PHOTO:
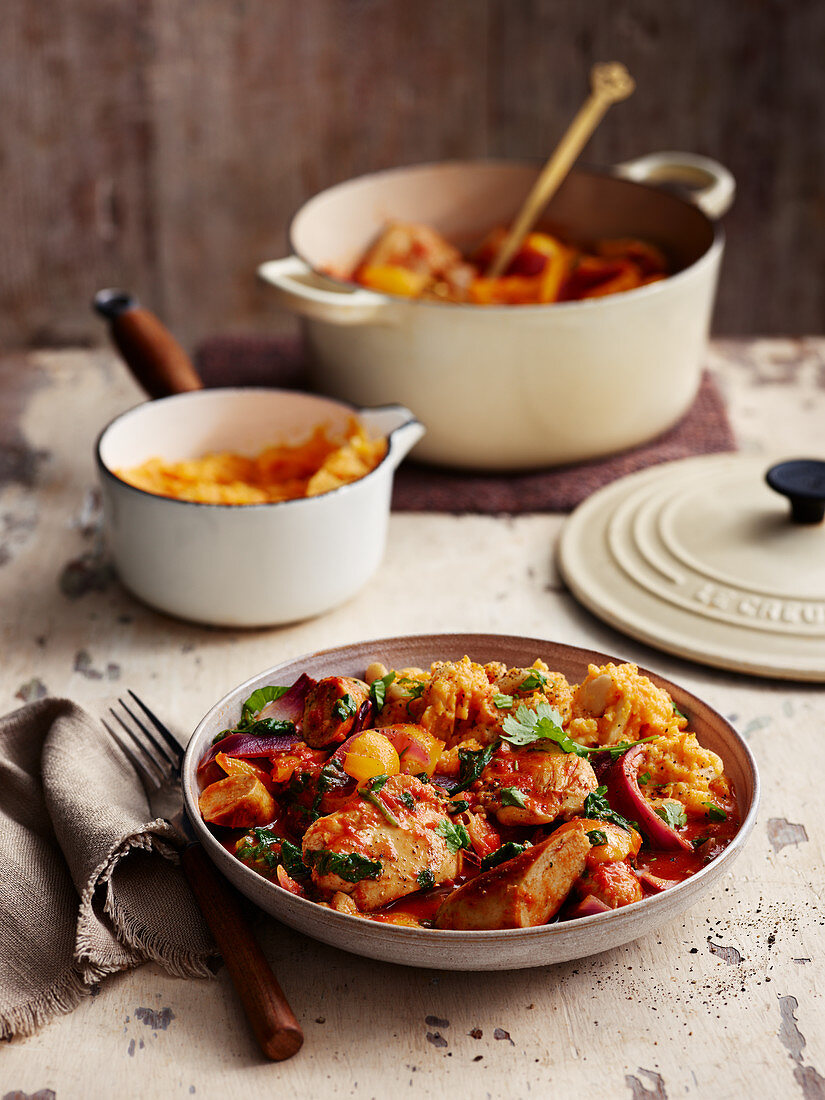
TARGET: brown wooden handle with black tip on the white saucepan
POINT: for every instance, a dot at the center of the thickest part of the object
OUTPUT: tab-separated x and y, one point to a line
151	353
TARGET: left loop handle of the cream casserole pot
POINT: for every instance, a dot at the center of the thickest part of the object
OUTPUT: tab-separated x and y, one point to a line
294	290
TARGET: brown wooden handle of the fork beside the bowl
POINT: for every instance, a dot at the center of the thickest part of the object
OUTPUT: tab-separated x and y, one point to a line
268	1011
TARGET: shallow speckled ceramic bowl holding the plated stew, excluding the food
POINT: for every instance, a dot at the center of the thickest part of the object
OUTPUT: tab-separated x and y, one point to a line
470	951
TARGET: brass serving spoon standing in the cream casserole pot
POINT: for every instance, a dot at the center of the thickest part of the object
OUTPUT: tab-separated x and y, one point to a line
610	84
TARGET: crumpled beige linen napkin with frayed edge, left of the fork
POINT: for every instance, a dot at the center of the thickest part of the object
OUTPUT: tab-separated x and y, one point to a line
89	883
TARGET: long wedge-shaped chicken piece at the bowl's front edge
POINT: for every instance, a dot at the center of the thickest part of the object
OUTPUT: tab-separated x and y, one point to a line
521	894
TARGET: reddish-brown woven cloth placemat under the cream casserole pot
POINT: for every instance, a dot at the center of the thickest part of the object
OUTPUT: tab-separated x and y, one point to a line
278	361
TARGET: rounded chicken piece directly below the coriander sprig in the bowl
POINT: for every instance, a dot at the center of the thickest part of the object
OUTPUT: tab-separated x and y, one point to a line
534	787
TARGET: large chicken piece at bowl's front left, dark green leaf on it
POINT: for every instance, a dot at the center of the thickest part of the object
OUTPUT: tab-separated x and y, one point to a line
384	844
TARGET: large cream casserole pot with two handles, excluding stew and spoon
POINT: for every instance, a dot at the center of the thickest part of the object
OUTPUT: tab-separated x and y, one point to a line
509	388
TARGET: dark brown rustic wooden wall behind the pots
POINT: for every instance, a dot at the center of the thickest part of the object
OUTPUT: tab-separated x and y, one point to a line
164	145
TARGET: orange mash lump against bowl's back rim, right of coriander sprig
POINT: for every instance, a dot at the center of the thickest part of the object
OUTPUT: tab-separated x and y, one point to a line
617	703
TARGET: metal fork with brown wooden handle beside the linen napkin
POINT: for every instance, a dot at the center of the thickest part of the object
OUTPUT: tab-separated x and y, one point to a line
158	761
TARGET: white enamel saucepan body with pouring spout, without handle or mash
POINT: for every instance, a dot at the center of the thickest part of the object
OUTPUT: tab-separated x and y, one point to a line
244	566
